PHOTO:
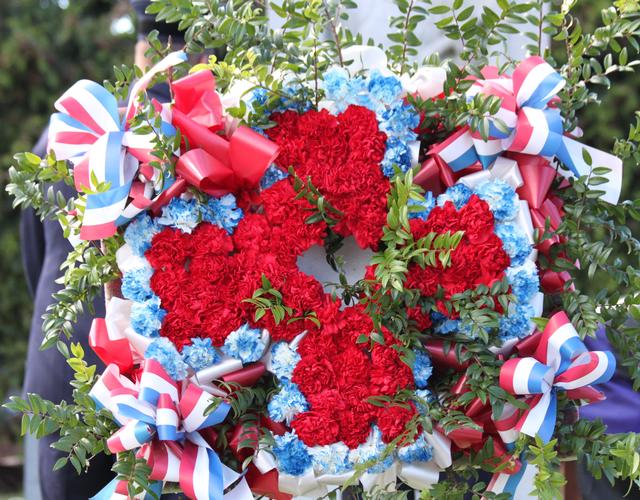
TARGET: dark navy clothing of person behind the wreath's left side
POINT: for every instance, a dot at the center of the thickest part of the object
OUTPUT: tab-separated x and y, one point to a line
44	249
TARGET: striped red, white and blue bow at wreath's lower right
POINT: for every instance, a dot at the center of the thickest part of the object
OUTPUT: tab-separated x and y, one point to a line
559	360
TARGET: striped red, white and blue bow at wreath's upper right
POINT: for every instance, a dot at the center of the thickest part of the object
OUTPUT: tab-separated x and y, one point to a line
526	123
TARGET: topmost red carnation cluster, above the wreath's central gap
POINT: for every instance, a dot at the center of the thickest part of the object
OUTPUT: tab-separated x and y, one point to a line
342	155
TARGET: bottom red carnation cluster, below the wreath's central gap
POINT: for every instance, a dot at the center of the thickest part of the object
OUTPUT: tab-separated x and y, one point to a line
337	376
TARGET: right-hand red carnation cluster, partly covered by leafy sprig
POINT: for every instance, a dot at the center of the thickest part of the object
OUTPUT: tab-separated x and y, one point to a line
479	258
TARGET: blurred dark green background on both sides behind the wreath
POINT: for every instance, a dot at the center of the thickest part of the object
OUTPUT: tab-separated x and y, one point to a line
46	45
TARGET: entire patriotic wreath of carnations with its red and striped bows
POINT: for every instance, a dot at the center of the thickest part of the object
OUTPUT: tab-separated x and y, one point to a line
230	370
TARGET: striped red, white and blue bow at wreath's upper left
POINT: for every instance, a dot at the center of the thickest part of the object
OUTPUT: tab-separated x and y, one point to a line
89	133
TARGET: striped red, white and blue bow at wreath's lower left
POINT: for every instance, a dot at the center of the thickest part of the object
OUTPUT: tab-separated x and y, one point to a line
167	424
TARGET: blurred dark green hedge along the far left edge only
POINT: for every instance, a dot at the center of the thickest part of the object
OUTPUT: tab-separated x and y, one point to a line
43	50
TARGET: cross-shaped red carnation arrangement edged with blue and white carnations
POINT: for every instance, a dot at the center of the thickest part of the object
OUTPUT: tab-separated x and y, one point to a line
334	396
